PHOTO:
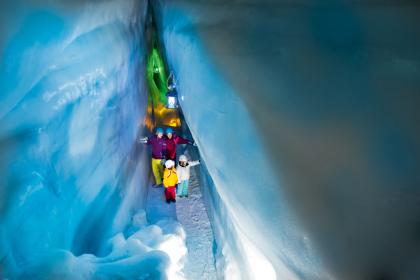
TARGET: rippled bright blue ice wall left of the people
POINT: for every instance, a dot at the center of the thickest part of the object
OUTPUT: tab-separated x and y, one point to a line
72	101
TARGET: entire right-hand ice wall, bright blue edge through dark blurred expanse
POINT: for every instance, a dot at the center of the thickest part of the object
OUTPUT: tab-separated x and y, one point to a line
306	115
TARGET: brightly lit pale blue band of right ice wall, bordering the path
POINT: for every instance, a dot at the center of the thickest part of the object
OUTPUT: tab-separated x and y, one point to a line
249	212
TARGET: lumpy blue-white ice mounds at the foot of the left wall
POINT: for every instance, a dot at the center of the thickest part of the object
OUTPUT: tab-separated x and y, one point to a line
150	252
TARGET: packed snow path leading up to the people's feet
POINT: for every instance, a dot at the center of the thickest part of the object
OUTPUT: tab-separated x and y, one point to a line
191	213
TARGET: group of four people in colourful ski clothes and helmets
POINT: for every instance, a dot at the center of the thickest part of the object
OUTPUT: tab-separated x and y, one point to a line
175	179
